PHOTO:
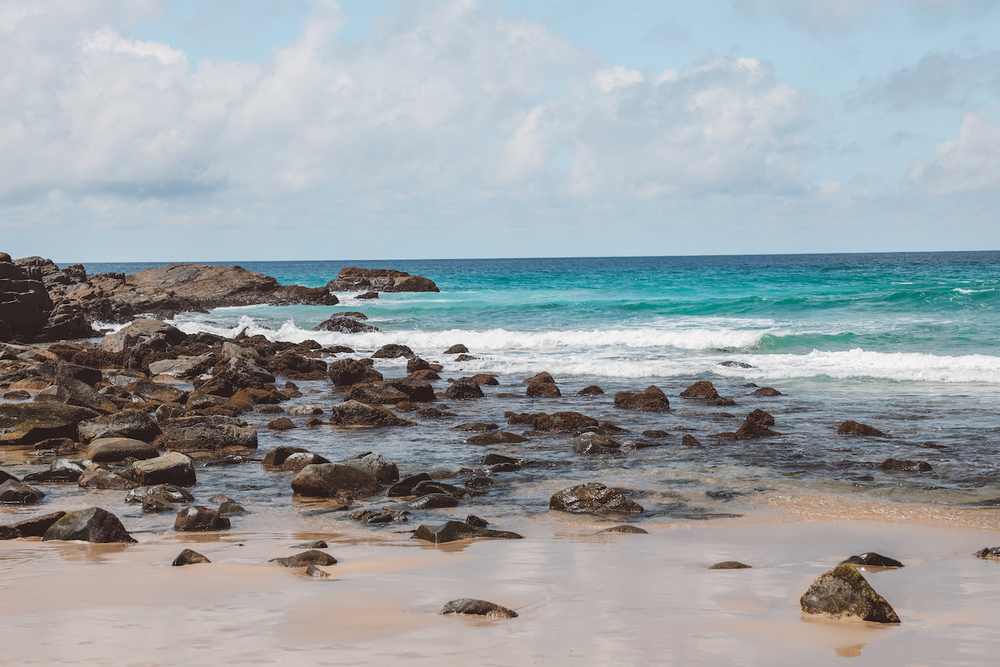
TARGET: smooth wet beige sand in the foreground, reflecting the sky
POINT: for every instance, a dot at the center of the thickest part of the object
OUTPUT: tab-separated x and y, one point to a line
583	598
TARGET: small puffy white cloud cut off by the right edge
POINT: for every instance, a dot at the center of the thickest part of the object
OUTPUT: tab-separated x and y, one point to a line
969	162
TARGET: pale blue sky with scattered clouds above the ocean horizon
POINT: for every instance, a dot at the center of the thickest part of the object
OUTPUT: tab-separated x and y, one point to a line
216	130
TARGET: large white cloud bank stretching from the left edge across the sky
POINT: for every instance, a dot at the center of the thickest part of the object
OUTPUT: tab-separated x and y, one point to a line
443	97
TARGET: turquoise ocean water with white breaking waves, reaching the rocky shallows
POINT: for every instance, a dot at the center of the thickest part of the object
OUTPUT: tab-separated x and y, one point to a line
904	342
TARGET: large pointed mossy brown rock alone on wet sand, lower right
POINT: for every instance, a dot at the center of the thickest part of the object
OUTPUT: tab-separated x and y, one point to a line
844	592
